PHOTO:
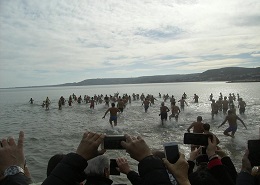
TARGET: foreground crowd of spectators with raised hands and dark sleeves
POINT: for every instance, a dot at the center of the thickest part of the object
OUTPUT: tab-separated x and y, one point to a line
90	166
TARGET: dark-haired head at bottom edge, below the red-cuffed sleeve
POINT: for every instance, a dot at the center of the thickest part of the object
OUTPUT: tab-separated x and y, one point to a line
202	177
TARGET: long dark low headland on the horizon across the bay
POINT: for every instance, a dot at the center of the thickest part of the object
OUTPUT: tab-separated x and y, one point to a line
228	74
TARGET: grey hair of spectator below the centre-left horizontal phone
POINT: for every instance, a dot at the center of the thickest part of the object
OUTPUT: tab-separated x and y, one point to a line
97	165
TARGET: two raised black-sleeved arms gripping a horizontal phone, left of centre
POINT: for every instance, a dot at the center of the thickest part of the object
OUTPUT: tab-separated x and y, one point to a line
71	169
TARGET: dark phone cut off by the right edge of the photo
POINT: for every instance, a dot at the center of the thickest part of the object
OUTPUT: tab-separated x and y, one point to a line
254	152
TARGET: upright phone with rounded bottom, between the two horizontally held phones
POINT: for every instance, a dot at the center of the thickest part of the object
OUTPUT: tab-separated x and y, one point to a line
171	151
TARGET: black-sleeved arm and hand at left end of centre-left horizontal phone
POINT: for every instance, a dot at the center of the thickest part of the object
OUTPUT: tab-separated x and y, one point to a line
71	169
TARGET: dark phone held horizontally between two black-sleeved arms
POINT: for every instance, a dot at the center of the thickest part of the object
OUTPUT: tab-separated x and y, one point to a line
113	142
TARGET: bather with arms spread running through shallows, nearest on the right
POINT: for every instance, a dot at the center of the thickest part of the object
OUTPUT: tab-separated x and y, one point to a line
232	120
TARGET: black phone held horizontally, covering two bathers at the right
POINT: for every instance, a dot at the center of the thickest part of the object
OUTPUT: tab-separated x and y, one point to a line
197	138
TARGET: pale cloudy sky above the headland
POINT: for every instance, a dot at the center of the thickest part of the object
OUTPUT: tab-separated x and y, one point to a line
62	41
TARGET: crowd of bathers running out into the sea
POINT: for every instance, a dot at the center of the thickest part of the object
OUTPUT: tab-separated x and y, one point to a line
225	104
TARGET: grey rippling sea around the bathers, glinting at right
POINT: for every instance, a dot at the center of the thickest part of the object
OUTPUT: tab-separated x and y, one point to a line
53	131
